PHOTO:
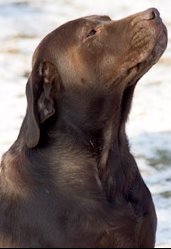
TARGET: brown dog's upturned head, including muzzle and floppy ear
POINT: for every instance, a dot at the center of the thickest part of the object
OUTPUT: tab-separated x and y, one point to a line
91	51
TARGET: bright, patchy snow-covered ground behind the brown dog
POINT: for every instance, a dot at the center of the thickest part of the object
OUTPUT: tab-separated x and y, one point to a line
24	23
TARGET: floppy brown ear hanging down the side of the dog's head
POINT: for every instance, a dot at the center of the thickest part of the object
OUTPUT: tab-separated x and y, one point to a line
40	91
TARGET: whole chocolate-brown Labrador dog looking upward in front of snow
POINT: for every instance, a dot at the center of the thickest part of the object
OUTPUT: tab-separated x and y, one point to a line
70	181
